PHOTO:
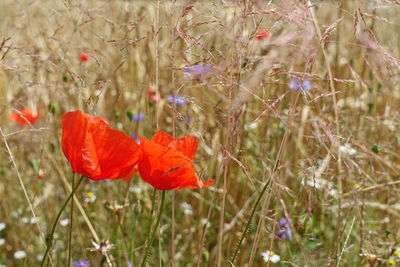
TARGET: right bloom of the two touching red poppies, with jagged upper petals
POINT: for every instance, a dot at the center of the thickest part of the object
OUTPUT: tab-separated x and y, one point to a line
166	163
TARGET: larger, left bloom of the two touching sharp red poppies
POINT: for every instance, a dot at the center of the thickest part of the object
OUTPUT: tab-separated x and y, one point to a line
94	149
